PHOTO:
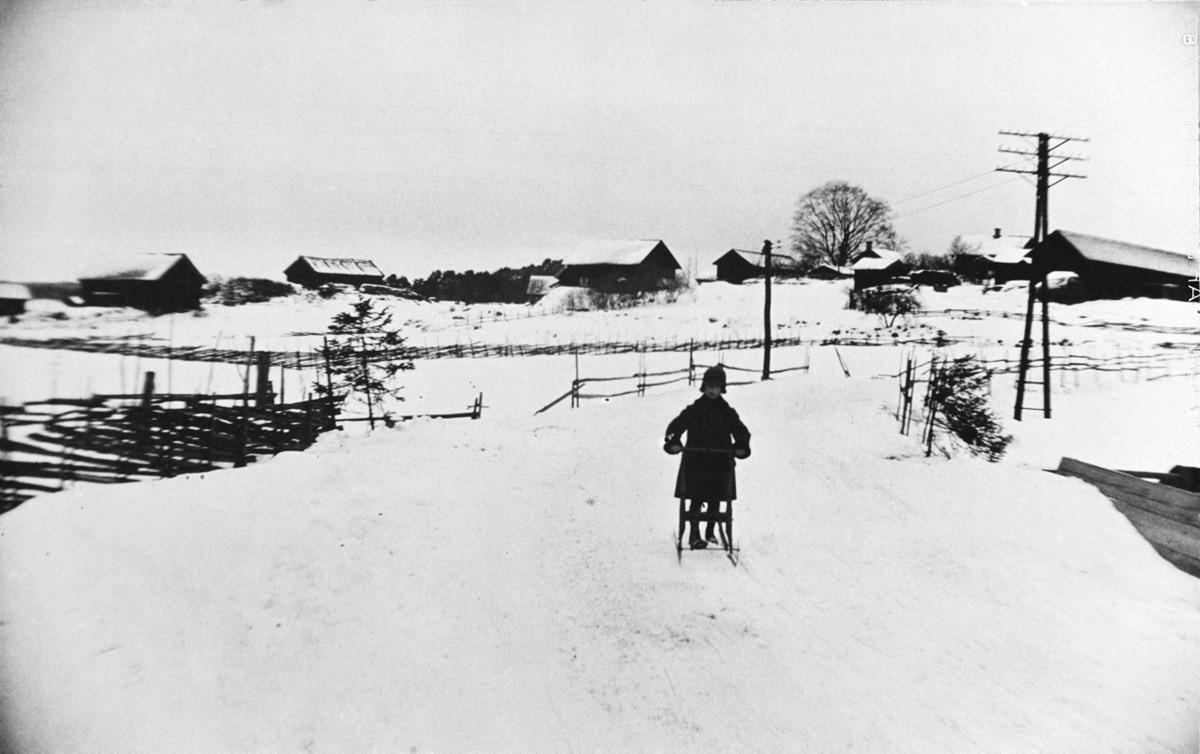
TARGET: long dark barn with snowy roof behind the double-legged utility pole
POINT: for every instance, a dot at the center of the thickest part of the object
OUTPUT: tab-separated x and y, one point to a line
1111	270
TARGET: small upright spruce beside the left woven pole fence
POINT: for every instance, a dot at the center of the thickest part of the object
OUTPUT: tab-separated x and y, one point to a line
364	352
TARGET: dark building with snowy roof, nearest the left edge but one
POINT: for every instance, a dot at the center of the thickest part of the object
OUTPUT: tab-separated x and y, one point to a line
155	283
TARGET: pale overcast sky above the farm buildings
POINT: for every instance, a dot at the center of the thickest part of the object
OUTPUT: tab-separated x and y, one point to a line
477	135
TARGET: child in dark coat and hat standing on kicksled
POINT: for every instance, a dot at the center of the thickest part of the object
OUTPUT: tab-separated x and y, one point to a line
716	436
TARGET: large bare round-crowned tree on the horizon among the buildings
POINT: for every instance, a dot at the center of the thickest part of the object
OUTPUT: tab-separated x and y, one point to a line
833	222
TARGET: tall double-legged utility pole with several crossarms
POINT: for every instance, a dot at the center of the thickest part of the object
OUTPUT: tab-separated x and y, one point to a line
1045	172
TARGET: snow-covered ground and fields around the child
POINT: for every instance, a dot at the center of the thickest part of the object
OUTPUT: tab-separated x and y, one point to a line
511	584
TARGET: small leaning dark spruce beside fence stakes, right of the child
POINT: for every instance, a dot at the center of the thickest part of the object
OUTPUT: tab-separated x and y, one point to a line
961	394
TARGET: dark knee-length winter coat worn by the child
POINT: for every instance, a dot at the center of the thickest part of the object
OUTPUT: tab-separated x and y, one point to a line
711	424
